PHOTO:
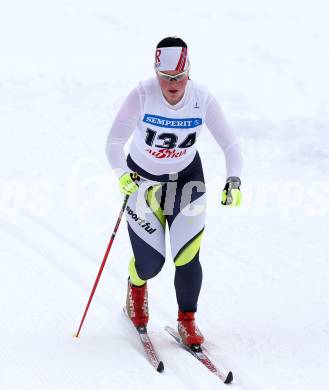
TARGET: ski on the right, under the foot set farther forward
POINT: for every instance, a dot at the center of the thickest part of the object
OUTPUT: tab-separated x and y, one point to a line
200	355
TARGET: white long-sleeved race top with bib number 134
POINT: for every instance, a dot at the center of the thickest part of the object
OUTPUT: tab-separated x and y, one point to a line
165	135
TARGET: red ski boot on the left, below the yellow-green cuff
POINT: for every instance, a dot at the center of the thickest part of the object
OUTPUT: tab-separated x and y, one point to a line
137	304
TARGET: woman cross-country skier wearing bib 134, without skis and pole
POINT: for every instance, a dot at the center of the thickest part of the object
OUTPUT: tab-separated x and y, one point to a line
165	115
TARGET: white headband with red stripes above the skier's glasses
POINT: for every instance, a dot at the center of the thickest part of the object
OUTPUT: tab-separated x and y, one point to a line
171	58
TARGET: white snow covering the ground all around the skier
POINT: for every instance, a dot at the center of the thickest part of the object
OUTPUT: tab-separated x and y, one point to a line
65	68
